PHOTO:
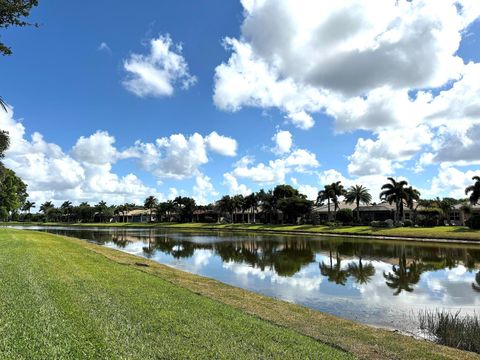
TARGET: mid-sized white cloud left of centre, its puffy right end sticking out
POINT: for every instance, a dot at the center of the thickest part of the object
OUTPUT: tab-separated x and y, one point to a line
179	157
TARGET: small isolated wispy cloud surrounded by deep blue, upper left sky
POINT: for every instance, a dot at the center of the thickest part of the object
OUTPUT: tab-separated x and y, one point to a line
157	73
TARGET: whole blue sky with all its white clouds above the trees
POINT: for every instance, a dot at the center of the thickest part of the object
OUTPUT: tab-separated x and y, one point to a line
332	83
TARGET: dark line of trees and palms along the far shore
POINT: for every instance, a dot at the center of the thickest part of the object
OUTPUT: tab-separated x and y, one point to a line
283	204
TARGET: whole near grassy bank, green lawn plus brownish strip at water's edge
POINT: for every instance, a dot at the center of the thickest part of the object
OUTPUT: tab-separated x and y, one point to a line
67	298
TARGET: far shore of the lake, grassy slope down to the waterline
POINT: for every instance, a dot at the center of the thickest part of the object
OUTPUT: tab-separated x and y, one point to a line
443	234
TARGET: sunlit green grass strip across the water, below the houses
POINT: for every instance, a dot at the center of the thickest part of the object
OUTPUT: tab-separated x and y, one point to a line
439	232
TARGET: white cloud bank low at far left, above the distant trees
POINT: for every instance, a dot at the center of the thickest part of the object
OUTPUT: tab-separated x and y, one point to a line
51	174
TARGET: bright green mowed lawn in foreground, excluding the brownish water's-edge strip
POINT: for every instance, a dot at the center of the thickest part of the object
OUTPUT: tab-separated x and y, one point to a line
60	300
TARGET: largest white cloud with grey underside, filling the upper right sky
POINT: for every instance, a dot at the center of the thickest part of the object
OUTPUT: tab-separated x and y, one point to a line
388	67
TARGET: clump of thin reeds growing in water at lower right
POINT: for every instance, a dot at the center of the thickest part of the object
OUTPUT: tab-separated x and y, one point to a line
462	332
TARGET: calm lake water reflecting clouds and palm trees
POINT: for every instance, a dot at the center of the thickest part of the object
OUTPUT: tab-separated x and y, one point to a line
374	282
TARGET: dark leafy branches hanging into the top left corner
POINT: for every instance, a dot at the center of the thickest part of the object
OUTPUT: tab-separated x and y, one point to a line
12	13
